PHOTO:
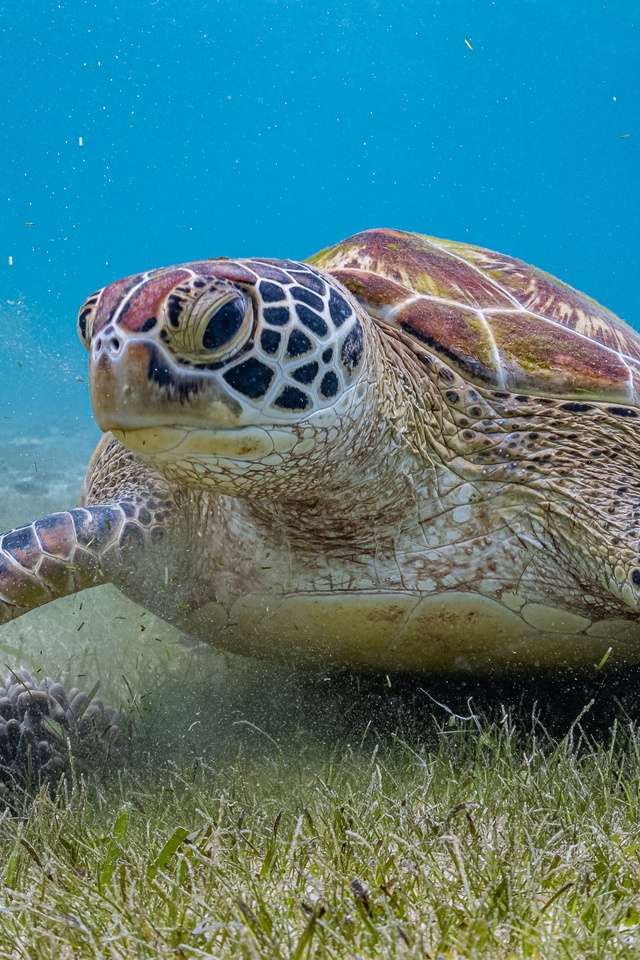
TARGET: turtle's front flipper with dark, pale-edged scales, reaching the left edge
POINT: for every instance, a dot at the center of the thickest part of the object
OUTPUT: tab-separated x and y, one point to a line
64	553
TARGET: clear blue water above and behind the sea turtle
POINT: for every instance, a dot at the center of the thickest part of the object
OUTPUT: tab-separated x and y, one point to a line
138	134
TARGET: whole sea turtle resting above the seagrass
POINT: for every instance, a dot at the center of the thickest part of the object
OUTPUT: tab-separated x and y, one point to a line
402	453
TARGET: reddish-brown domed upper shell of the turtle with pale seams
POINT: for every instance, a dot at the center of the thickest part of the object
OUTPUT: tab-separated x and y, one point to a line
499	321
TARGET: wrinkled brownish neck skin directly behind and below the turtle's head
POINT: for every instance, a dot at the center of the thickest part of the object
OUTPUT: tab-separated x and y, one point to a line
347	479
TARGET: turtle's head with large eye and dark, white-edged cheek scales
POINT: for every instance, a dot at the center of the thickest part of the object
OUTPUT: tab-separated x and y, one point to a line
220	369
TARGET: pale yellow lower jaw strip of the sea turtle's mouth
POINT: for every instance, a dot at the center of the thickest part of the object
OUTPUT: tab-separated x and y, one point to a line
172	442
